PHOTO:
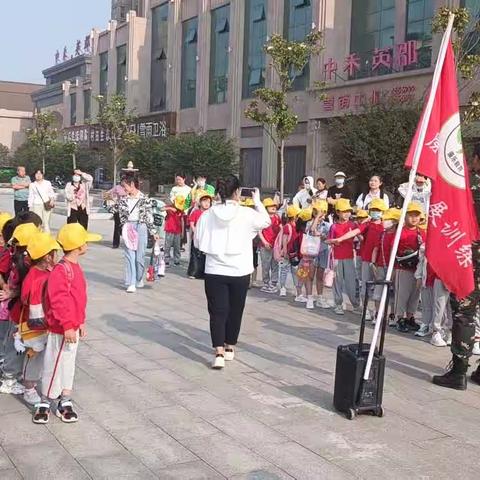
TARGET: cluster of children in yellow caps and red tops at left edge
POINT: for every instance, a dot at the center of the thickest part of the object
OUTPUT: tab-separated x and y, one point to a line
42	313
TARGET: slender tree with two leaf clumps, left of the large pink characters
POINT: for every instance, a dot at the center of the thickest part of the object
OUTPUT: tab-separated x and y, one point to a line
271	107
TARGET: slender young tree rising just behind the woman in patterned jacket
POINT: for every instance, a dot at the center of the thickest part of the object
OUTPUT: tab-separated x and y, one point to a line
114	117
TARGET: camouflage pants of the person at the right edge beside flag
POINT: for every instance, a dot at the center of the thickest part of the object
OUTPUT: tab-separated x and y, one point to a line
465	313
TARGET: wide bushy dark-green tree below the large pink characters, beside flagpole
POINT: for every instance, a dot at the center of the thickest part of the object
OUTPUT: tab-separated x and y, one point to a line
374	142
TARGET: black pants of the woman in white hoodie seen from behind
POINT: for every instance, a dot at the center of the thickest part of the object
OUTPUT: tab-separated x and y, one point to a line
226	300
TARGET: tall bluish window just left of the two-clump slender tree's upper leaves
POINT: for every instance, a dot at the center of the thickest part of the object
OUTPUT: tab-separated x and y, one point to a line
253	53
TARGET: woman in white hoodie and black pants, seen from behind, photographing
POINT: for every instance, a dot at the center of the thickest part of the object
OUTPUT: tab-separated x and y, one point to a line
225	233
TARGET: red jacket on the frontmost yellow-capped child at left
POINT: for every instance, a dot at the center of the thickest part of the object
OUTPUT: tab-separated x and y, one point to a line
66	298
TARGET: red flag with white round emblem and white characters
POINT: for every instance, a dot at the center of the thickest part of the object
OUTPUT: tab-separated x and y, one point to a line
452	224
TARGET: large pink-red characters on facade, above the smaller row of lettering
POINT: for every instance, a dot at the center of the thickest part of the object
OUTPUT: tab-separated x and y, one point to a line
393	58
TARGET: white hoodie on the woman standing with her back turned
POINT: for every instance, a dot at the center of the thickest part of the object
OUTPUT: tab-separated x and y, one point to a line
225	233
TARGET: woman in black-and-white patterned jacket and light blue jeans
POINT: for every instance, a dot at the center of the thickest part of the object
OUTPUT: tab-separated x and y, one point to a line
135	210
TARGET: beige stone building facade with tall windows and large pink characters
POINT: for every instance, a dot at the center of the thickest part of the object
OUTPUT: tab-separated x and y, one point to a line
193	66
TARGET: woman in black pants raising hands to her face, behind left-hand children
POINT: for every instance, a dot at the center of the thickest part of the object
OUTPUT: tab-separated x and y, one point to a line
77	195
